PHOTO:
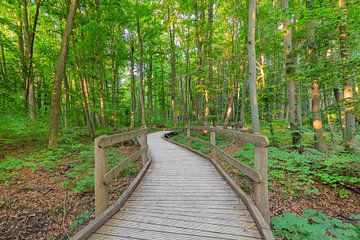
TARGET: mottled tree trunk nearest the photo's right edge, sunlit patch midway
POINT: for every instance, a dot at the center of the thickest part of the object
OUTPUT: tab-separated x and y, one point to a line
348	88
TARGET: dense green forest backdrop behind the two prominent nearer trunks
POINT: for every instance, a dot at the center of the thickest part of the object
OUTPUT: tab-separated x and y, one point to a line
183	61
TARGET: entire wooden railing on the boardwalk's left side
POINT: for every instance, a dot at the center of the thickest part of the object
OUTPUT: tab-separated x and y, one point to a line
103	175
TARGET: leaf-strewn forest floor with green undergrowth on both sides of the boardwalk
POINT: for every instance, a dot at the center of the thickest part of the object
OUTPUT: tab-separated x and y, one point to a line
48	194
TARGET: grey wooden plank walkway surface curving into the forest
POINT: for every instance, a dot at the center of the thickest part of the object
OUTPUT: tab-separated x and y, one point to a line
181	196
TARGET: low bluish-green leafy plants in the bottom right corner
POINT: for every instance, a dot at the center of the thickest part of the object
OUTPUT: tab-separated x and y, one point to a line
312	225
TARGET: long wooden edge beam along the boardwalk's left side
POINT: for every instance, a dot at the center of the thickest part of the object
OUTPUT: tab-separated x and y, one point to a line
86	232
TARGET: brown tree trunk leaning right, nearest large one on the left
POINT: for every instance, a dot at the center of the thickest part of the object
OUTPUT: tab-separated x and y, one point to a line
59	76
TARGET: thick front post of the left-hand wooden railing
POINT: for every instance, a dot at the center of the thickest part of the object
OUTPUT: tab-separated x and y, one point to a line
101	189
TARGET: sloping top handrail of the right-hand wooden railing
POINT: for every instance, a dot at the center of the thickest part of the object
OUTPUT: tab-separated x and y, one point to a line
257	139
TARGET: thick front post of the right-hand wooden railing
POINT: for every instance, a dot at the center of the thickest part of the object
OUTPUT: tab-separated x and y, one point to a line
261	188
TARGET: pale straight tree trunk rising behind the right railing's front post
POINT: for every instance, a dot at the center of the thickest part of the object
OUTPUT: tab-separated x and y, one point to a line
255	122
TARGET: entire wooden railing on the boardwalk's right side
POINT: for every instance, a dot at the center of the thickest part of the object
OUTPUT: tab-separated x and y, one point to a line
259	174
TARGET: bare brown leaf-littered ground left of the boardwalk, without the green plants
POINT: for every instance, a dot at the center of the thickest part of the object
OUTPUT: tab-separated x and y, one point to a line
35	206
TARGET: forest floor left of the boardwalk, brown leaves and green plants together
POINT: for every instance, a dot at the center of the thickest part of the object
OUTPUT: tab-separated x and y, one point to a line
48	194
